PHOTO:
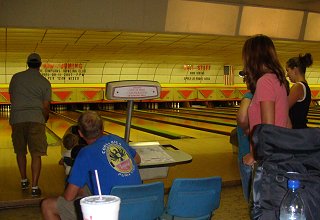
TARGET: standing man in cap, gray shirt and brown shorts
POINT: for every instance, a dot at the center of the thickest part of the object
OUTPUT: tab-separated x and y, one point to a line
30	96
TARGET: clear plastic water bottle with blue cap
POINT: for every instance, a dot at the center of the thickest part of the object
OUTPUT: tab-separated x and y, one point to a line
292	207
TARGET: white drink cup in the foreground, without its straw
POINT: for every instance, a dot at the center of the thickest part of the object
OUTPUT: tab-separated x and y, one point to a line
96	208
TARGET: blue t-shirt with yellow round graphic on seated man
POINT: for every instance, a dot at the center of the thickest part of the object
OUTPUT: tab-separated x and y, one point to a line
112	157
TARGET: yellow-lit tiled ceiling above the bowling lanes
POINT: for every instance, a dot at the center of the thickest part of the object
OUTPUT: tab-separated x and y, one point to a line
67	45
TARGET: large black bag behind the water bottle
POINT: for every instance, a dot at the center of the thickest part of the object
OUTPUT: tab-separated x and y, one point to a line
283	154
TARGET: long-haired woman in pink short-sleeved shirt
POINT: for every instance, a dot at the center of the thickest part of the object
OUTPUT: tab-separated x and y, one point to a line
268	83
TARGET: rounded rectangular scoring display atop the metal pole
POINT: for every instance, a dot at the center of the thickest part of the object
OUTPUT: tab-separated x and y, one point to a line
132	90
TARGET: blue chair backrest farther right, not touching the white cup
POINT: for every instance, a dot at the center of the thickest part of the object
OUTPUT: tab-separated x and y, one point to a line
194	197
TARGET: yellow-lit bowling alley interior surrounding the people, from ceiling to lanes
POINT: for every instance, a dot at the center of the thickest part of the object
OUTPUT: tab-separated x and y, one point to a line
188	52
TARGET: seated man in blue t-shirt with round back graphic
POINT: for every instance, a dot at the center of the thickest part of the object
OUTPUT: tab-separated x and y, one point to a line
115	161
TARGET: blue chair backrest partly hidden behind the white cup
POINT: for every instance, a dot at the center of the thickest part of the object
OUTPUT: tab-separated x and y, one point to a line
143	201
